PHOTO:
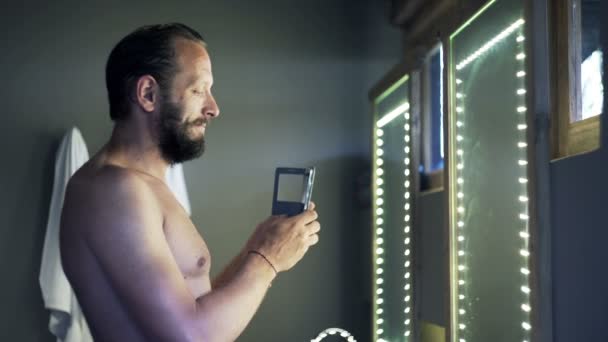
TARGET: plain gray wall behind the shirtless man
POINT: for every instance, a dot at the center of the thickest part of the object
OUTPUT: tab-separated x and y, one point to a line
291	80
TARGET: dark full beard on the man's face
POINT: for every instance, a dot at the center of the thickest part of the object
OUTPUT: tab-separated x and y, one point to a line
175	145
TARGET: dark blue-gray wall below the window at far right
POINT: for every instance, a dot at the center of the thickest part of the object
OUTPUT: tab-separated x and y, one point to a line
579	232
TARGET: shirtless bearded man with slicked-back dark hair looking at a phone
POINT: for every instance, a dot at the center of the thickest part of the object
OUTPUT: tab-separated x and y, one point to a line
136	262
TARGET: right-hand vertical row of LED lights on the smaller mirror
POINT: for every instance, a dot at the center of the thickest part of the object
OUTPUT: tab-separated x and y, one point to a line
408	288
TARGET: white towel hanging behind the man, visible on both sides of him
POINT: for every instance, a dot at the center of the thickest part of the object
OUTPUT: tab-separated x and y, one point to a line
67	321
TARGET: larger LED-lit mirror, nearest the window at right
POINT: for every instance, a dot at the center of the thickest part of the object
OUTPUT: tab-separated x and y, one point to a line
490	286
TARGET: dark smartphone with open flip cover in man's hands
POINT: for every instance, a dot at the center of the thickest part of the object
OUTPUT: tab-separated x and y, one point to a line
292	190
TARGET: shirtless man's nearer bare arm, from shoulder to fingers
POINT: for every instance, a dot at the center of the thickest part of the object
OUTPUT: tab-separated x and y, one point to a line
125	233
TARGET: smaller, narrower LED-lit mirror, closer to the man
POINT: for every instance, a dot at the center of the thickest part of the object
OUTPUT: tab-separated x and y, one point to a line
392	178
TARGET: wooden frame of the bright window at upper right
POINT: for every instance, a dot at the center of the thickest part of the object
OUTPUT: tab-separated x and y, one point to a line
569	137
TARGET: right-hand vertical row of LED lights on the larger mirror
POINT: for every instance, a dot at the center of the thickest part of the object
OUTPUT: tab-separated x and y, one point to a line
522	128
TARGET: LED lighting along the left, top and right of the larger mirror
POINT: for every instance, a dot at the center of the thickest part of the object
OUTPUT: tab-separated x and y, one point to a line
460	139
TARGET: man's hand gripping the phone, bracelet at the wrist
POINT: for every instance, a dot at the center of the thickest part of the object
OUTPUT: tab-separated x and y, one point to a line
285	240
